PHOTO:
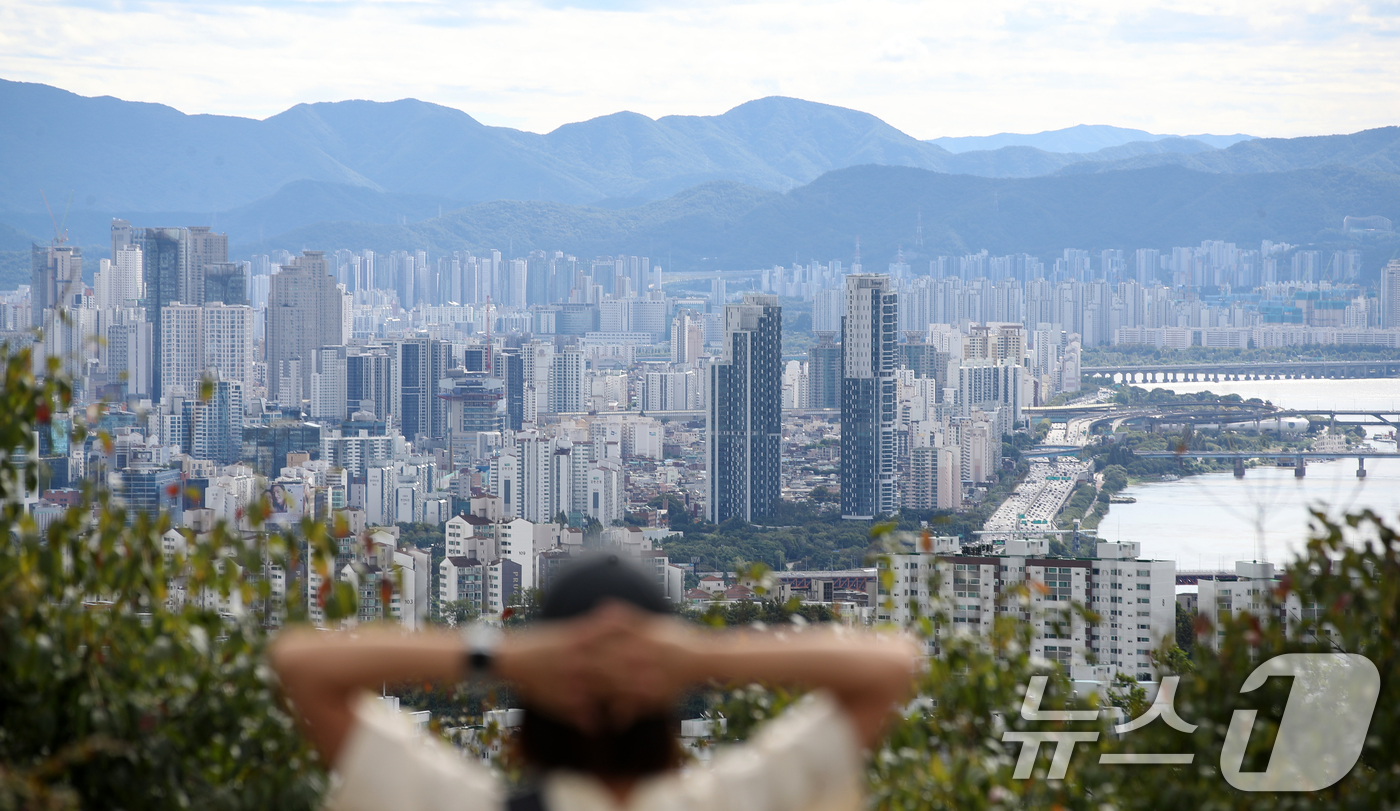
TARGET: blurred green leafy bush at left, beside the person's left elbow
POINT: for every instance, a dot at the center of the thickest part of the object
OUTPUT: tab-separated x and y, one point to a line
122	684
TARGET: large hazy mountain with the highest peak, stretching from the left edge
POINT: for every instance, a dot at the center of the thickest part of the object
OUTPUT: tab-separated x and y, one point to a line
145	158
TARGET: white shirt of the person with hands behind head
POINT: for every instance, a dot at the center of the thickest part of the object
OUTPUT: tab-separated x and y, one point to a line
806	760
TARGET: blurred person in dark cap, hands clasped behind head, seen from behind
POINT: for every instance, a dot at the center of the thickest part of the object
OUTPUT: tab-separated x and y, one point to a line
598	676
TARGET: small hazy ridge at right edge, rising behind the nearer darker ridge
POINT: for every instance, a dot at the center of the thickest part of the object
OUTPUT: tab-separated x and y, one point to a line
1374	151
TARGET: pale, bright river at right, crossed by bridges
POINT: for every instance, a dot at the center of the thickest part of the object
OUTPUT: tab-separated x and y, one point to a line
1214	520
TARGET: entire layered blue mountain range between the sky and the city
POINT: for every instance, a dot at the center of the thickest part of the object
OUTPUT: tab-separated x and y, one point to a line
744	188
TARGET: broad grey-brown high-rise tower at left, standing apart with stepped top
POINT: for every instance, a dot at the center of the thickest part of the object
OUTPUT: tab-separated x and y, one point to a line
304	313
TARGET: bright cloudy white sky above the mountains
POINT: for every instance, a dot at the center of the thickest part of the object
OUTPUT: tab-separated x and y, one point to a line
1277	68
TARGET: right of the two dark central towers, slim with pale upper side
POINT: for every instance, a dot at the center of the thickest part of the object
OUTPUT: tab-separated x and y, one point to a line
869	397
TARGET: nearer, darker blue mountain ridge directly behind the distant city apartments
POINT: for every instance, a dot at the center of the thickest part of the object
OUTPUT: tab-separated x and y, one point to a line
729	226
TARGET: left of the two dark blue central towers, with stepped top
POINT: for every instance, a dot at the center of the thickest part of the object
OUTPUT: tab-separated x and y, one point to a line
744	414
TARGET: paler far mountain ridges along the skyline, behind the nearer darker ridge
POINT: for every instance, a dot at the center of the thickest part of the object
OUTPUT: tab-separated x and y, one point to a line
400	163
